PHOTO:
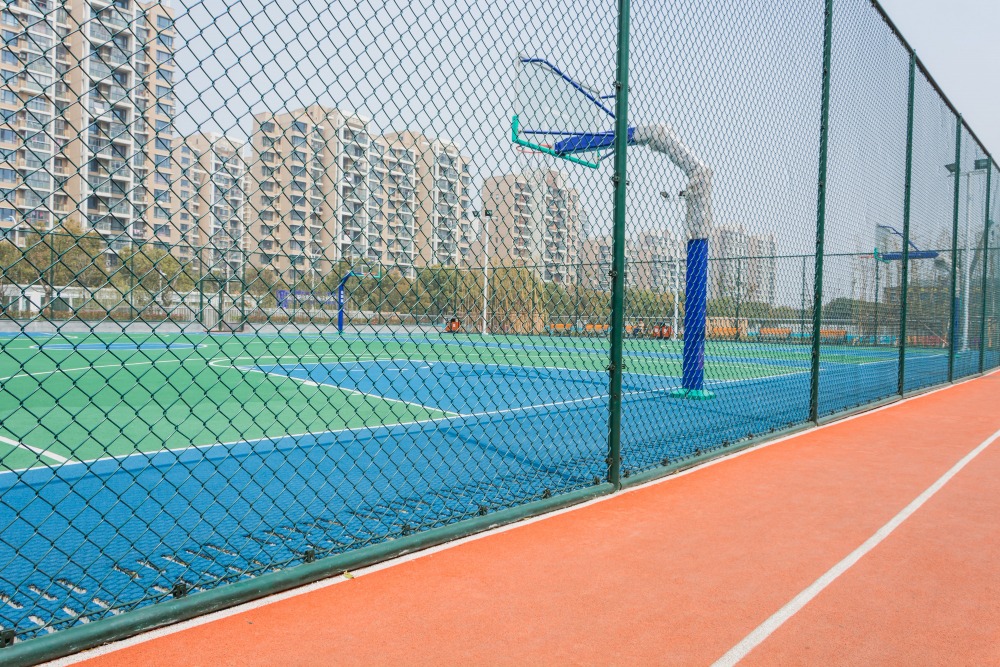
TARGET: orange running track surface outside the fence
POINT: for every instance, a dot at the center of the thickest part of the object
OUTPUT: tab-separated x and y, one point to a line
685	570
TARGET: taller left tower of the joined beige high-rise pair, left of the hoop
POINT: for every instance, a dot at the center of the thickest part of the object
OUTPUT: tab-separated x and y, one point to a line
308	192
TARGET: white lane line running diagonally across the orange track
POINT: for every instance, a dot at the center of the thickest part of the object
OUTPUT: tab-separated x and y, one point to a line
767	628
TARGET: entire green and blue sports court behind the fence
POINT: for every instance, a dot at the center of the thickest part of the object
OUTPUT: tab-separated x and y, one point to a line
134	465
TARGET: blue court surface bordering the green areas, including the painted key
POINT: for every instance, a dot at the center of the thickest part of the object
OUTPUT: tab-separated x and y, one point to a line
133	527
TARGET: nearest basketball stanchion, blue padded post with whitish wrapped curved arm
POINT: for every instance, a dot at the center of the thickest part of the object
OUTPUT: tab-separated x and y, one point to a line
697	228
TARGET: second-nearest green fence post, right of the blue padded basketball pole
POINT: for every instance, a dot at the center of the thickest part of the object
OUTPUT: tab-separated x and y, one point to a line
824	140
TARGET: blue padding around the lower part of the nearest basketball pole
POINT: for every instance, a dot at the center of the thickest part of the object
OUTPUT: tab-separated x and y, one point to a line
695	311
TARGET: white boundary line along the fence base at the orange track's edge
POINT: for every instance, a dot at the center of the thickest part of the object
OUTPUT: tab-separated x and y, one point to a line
333	580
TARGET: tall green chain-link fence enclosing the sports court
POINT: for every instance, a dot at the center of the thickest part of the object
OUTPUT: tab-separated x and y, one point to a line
286	289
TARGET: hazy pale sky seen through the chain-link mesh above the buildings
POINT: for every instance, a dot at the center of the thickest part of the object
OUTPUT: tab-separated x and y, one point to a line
739	82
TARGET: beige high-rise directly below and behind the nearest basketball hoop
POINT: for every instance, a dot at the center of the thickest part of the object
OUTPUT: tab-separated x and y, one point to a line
536	223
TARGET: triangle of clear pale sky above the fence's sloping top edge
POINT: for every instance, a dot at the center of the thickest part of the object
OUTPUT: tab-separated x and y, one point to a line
957	40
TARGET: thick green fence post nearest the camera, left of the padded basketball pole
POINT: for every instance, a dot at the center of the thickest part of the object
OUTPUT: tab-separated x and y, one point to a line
618	254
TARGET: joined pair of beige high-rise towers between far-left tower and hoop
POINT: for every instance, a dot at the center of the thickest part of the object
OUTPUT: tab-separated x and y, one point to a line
322	188
